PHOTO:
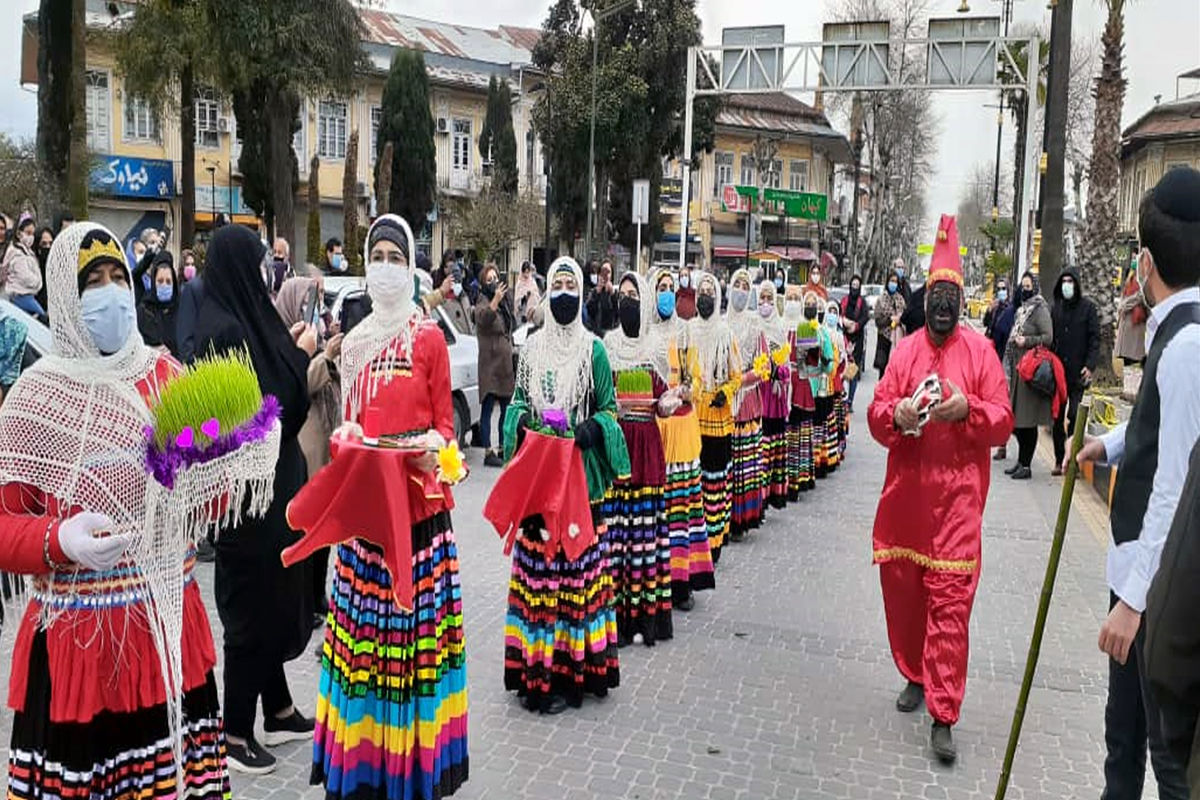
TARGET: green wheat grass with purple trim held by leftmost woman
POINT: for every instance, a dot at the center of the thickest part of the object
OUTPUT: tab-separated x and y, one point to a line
218	387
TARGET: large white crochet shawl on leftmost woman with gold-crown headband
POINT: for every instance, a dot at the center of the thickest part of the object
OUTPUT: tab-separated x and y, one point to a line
74	428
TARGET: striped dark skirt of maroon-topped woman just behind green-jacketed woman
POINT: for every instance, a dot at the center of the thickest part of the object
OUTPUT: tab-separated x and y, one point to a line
640	562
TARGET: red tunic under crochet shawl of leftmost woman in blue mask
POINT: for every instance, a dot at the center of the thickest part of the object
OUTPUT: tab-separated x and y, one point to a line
101	653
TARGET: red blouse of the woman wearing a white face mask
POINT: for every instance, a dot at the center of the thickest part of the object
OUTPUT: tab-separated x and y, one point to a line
417	399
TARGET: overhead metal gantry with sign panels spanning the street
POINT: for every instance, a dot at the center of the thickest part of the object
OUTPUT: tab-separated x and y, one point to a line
961	55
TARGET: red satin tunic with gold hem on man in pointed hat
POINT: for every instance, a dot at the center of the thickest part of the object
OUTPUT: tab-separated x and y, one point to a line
932	508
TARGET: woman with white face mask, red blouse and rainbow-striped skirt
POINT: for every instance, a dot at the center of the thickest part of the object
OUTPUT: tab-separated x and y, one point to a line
392	709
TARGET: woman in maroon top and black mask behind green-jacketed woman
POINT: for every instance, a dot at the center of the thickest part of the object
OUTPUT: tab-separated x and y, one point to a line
635	510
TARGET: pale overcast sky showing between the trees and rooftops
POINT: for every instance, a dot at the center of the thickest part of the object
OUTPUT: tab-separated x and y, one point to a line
1162	40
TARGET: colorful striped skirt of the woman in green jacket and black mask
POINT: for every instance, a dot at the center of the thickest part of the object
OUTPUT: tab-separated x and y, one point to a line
561	630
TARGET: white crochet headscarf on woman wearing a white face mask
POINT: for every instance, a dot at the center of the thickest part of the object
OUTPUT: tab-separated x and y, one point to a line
374	338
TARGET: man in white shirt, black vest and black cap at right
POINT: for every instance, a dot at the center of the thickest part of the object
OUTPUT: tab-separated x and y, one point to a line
1154	450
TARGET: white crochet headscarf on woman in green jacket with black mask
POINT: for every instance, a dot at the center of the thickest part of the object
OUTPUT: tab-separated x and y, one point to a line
556	363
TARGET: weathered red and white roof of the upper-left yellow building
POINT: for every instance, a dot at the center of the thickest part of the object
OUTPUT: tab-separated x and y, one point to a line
506	45
